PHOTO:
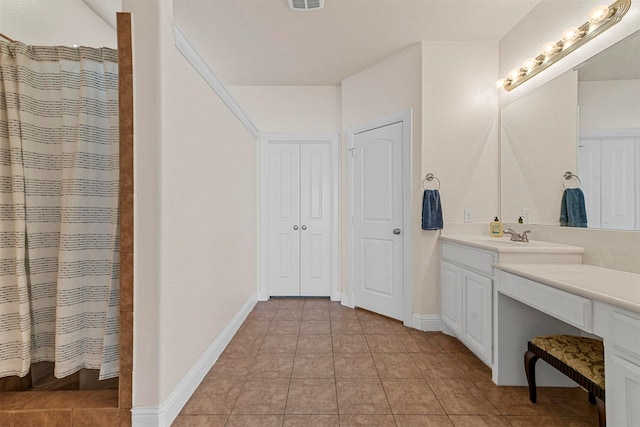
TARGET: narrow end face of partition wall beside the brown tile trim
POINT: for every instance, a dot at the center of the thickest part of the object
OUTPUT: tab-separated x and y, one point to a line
147	213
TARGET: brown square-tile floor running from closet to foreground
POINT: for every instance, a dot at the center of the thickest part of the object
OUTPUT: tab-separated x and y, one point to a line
312	362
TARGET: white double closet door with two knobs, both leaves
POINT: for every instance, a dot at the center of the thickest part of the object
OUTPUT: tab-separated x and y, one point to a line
299	210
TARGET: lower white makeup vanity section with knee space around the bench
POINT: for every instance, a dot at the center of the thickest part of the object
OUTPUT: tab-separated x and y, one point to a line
543	299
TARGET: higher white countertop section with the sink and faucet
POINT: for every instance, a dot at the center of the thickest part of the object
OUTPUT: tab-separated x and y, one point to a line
504	244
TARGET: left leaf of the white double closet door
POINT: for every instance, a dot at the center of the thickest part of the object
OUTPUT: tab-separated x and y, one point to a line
283	219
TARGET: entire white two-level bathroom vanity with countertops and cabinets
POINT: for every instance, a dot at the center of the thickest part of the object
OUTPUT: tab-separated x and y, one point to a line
497	295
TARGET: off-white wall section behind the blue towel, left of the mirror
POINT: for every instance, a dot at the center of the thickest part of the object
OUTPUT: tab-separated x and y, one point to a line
459	145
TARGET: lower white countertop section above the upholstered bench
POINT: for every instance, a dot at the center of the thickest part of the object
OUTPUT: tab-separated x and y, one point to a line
615	287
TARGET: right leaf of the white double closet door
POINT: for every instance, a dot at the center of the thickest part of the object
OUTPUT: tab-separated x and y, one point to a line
315	219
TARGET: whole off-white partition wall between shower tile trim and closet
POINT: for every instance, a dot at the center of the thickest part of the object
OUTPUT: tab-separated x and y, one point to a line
195	220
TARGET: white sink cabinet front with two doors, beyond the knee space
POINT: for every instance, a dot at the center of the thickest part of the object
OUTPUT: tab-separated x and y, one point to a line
467	289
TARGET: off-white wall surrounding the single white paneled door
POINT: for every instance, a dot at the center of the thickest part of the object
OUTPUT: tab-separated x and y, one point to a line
384	89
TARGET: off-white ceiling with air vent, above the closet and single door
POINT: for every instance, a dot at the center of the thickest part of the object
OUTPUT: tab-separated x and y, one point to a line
263	42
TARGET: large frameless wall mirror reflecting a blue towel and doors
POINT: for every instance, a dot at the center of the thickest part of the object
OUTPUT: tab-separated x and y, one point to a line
586	121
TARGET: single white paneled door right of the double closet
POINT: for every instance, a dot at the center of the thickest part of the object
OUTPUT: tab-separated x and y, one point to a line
378	220
